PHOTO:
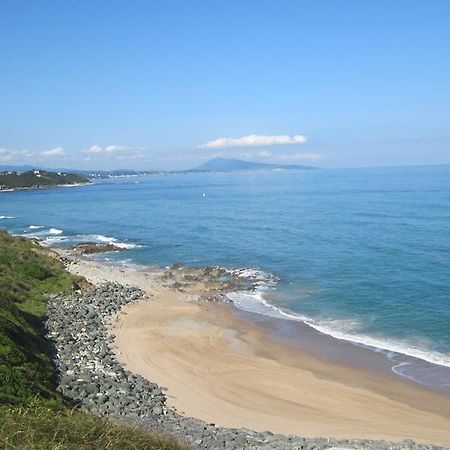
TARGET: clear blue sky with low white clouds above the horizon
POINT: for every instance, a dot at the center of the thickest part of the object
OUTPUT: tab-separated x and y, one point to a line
168	84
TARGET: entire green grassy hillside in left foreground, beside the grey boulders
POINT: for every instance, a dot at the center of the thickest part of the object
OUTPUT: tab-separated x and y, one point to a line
32	414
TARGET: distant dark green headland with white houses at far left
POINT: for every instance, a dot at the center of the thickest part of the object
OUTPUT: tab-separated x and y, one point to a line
37	178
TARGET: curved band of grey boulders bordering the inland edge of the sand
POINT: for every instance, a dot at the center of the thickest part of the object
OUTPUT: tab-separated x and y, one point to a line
91	376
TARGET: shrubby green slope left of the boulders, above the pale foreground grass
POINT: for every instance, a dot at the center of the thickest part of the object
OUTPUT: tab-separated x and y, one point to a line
27	276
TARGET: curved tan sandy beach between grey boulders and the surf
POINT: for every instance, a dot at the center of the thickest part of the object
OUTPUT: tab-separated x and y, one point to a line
223	369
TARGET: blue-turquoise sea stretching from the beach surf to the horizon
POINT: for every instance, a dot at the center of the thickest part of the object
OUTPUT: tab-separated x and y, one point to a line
360	254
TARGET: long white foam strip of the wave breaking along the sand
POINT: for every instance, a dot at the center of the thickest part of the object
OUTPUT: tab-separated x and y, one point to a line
339	329
